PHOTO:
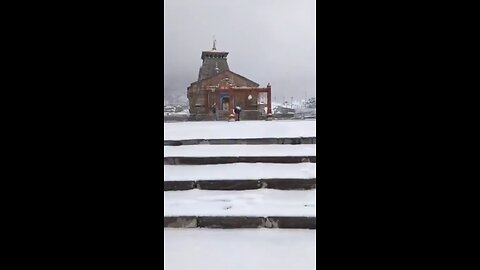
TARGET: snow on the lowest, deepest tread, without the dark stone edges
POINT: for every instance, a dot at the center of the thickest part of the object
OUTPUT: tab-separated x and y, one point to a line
259	202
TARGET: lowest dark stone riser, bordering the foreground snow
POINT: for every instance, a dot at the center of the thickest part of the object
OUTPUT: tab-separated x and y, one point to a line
237	222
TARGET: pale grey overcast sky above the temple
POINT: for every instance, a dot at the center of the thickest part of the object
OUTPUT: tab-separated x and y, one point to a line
269	41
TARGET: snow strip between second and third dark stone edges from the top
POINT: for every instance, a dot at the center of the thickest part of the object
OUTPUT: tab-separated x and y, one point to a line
242	171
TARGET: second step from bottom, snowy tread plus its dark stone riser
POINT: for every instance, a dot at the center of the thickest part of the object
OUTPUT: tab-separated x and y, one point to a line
240	176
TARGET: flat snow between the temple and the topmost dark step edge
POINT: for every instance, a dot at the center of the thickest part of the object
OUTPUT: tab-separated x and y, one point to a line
239	129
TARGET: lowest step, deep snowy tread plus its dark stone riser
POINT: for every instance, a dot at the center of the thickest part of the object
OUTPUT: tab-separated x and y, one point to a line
240	209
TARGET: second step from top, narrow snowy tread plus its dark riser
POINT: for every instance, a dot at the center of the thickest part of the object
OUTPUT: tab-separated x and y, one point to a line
221	154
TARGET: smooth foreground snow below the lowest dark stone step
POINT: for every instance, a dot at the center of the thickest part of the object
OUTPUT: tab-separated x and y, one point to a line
239	249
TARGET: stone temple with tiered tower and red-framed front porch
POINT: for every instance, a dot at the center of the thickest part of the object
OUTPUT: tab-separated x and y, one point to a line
220	90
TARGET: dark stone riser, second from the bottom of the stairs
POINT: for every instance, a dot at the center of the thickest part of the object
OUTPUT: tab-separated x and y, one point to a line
281	184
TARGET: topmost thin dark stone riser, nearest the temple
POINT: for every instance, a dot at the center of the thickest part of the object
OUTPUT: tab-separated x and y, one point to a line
255	141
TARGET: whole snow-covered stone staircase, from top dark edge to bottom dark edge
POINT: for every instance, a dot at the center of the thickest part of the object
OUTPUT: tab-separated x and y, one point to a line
240	183
